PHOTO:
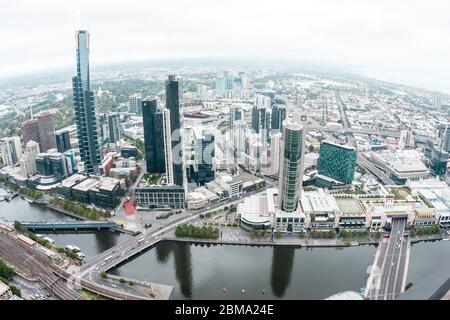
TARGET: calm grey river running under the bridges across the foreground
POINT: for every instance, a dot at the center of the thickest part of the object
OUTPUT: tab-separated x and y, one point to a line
202	272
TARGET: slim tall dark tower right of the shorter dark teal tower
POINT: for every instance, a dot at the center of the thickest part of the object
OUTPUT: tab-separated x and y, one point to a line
173	104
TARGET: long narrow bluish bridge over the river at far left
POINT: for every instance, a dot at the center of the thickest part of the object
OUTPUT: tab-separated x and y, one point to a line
70	226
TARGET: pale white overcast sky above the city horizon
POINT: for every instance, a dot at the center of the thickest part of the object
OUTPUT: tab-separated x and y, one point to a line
405	40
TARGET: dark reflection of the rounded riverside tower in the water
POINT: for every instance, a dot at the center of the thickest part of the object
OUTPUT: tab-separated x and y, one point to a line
282	264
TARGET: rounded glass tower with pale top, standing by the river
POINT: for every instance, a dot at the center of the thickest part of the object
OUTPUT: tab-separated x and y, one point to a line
291	165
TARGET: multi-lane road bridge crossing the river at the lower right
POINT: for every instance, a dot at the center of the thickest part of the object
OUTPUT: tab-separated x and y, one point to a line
387	280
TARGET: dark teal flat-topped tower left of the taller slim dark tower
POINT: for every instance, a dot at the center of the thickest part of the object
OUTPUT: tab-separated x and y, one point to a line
153	136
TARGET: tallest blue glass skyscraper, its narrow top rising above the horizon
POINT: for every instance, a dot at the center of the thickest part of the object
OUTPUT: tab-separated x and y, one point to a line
85	113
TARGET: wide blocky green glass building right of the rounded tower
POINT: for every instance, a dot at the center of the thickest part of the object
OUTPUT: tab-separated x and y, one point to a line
337	161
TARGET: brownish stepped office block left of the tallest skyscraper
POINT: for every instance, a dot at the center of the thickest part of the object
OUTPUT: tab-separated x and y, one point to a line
40	129
